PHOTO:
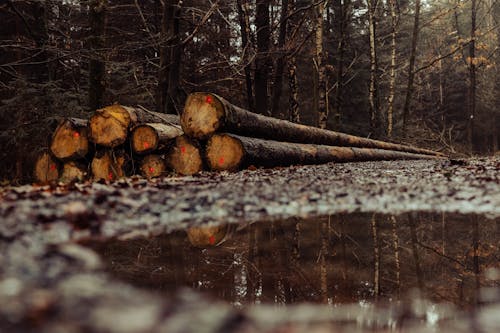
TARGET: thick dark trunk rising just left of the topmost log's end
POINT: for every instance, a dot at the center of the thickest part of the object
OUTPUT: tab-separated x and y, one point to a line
170	58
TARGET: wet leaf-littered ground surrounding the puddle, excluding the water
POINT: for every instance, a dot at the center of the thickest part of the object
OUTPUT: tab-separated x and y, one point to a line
49	283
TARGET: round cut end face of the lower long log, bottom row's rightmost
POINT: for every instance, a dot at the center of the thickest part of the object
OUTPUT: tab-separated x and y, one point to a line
224	152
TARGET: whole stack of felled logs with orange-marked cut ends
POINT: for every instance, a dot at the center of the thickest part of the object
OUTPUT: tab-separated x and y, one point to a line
211	133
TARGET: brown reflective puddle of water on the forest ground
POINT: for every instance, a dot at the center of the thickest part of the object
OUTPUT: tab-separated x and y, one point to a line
360	258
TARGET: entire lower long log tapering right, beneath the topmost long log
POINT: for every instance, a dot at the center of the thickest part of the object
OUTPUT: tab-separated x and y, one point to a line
231	152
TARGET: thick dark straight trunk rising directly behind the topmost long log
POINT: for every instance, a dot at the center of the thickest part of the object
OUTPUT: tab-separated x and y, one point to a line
262	58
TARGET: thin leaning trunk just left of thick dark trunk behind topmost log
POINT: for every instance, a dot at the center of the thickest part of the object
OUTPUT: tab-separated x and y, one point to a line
247	45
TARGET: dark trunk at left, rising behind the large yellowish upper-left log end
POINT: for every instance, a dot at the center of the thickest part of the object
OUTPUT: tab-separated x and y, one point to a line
97	43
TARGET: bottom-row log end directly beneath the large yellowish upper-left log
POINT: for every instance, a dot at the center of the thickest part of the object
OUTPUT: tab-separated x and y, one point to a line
108	165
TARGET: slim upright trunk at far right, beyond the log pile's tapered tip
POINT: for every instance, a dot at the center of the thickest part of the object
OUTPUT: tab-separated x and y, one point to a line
472	77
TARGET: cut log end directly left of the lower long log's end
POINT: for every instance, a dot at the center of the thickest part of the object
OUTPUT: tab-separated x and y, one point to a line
184	156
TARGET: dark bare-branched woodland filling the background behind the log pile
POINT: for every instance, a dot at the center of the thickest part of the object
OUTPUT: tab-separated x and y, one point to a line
424	73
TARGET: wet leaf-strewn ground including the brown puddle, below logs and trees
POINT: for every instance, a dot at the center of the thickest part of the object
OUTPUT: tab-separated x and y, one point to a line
376	246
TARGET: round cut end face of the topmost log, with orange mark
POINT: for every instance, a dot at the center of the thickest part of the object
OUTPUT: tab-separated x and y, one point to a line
202	115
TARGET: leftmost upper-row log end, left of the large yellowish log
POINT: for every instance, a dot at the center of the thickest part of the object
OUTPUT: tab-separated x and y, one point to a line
70	139
